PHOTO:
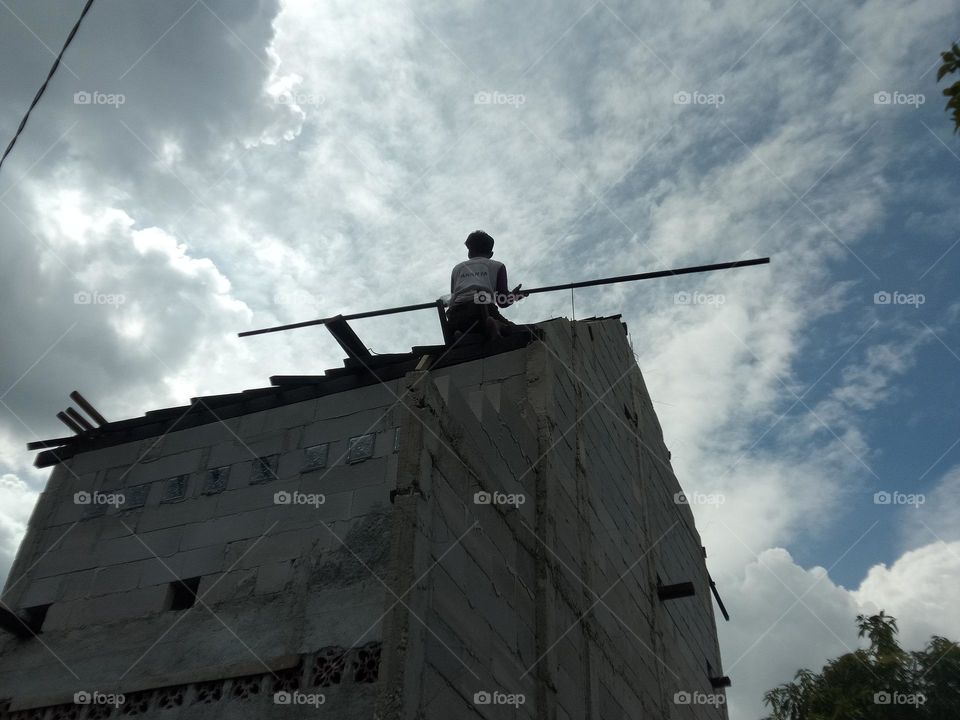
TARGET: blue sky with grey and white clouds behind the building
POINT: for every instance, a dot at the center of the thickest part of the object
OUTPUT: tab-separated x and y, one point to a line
276	161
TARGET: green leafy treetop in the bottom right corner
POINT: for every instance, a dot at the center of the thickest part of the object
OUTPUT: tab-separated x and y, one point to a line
882	682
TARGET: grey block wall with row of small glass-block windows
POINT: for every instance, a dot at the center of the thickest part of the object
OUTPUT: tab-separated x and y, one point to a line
275	580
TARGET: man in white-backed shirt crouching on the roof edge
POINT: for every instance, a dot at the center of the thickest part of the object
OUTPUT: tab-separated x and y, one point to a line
478	287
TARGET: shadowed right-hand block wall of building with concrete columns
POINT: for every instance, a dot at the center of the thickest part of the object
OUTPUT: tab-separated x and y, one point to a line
553	600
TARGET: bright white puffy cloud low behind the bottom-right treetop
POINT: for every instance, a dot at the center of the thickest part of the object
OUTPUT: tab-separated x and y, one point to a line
785	617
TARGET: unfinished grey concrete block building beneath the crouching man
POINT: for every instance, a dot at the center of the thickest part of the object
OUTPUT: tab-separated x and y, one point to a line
476	531
